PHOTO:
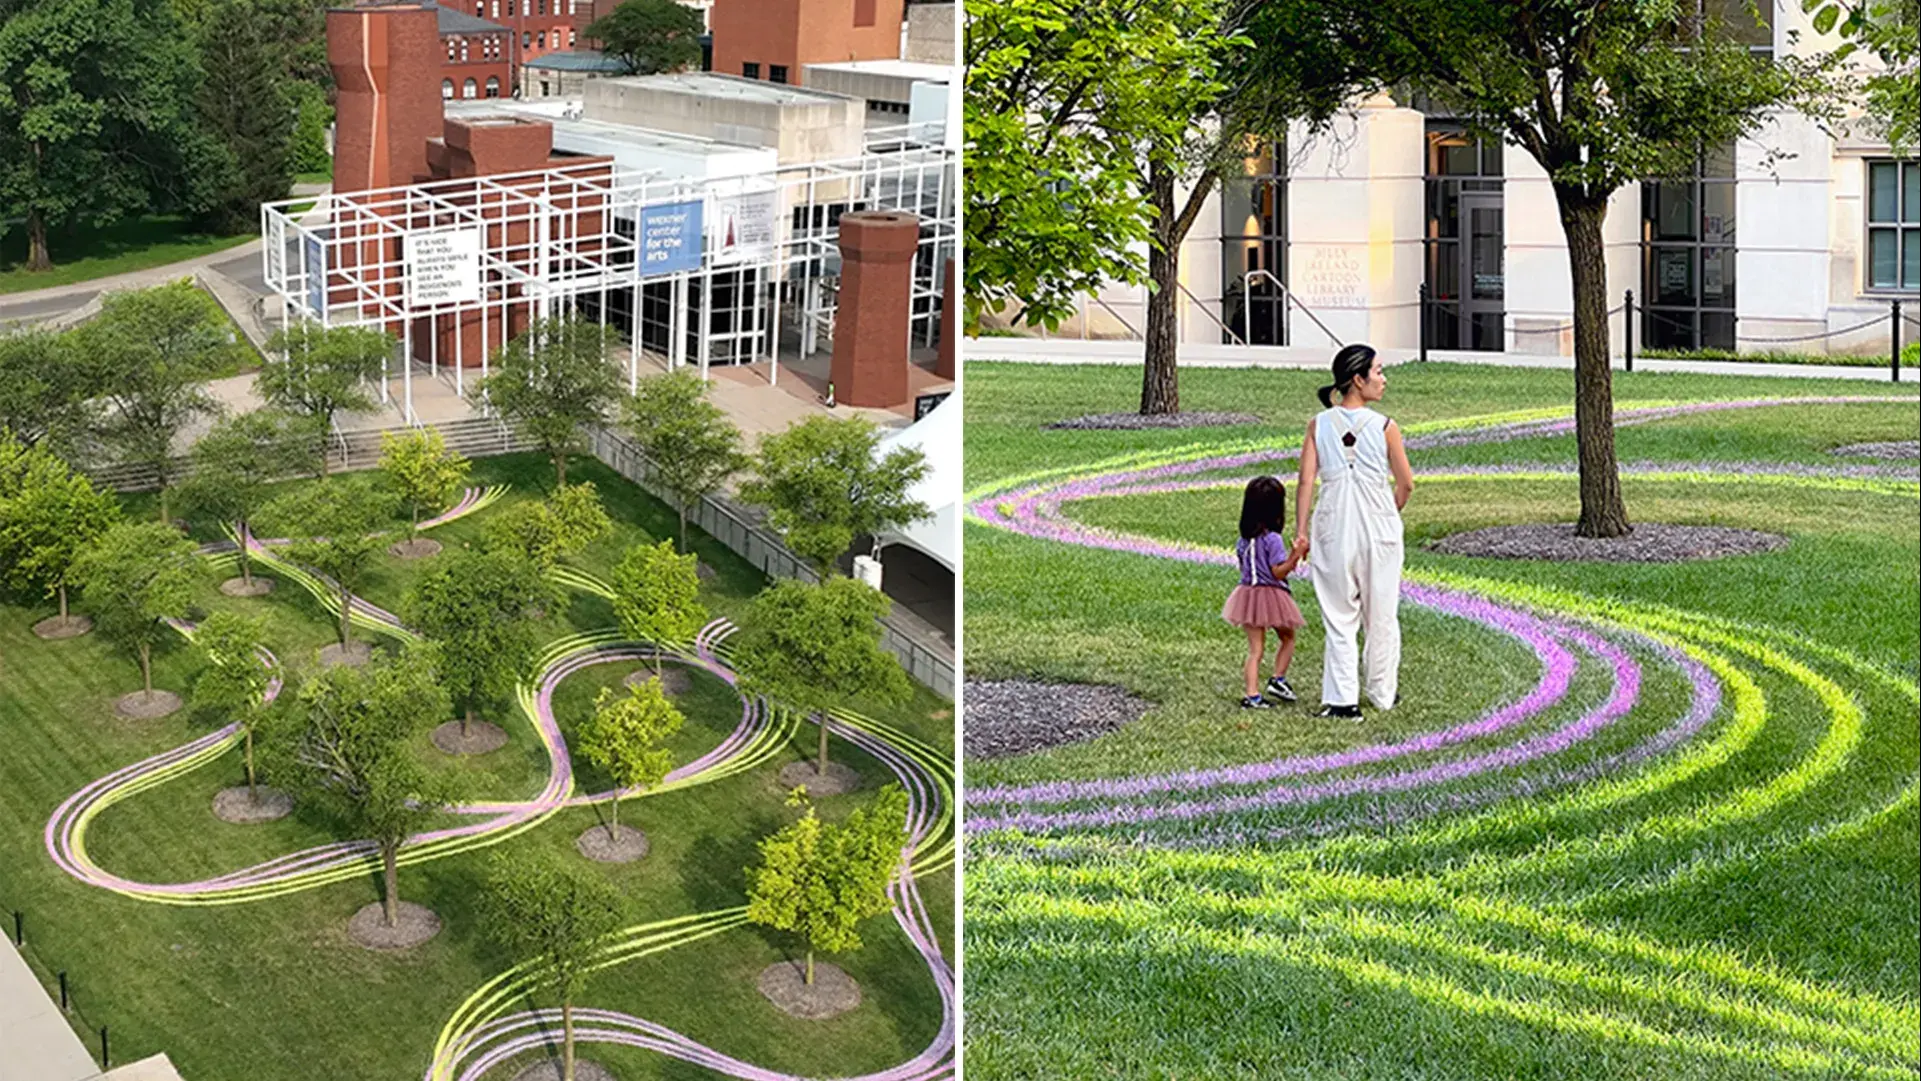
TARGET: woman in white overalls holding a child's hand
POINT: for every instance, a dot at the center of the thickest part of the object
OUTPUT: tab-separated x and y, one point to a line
1355	537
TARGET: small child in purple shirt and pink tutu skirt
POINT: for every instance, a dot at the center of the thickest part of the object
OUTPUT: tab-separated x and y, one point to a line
1263	600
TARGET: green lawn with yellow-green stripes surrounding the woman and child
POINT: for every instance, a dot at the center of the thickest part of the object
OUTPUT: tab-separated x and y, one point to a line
1741	905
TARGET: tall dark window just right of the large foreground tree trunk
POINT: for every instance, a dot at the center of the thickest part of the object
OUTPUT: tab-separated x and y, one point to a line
1688	258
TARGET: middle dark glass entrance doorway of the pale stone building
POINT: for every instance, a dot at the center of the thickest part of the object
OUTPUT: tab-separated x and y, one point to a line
1467	241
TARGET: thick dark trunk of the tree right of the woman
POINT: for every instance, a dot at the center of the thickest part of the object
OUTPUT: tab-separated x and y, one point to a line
1603	512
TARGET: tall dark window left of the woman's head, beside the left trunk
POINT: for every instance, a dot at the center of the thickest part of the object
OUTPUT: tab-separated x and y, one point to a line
1253	229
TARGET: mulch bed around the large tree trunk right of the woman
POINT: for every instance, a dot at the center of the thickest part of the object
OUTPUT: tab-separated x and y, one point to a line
1651	542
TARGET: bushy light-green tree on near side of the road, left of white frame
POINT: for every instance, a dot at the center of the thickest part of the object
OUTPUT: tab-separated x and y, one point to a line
153	352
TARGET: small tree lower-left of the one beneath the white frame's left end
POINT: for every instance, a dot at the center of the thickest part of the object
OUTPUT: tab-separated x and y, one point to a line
237	462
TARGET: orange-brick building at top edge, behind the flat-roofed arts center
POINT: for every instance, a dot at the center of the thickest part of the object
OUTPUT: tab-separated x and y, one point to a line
777	39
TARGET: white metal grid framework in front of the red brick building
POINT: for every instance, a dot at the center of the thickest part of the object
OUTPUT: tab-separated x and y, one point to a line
568	235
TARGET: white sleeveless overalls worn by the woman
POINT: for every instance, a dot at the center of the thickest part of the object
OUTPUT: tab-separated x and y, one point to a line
1357	556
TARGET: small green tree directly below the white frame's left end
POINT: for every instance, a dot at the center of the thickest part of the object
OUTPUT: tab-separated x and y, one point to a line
324	372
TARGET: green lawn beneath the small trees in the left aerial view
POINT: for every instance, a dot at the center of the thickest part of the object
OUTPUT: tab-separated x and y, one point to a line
276	990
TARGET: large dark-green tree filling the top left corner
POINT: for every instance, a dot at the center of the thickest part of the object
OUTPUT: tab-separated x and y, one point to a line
95	105
